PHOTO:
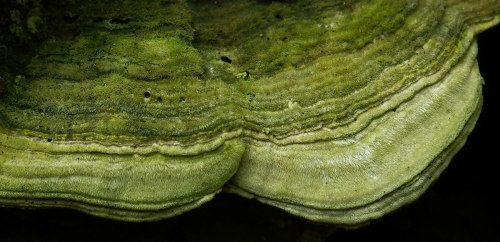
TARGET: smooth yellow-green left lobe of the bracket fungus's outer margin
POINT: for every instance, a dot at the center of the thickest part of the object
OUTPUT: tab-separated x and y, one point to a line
126	187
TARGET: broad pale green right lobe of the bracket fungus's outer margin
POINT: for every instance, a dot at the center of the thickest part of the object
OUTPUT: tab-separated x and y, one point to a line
339	202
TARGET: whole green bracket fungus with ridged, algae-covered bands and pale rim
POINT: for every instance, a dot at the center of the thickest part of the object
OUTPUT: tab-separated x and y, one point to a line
336	111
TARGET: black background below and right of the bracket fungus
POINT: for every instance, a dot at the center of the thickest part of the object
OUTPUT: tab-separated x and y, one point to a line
460	206
